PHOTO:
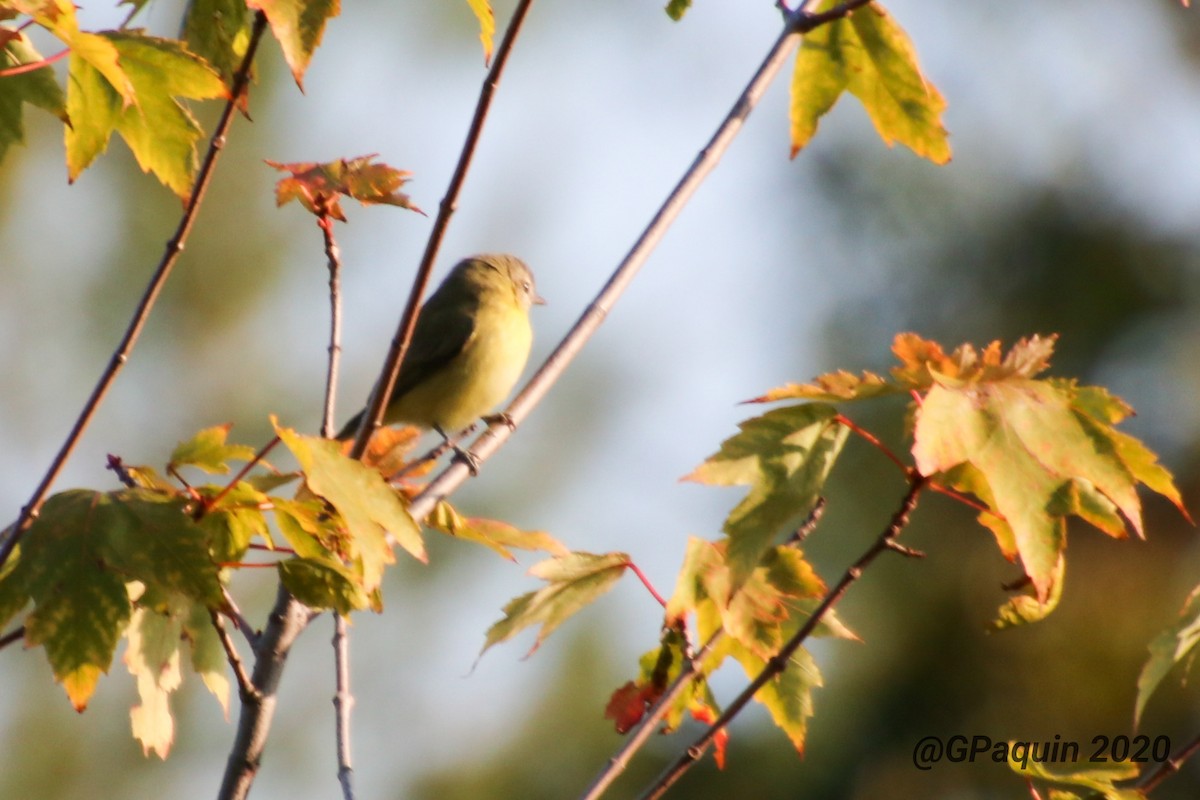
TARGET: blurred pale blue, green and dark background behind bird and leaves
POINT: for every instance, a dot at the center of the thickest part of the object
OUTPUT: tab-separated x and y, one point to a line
1071	207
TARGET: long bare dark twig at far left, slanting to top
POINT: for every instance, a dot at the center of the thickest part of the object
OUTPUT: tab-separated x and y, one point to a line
154	288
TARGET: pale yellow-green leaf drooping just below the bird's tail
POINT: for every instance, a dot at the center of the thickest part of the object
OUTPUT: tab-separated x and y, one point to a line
368	506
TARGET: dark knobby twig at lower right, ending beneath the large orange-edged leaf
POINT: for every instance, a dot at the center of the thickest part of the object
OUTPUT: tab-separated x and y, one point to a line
777	664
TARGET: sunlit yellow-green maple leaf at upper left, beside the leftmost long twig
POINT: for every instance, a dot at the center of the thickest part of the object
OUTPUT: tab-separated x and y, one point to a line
129	83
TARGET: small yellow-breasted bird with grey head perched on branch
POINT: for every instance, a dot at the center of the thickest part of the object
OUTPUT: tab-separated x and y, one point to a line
470	347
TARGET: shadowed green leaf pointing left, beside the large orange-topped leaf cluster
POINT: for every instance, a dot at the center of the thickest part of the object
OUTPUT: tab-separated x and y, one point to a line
785	458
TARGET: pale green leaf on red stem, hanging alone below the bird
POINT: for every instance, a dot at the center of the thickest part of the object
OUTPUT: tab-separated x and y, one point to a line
574	582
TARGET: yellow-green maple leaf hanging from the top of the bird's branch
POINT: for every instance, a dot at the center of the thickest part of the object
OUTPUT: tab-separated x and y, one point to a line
872	57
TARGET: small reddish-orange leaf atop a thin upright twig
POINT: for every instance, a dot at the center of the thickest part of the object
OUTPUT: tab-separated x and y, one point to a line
320	187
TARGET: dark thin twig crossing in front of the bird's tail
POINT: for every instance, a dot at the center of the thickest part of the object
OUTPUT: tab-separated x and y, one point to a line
388	376
